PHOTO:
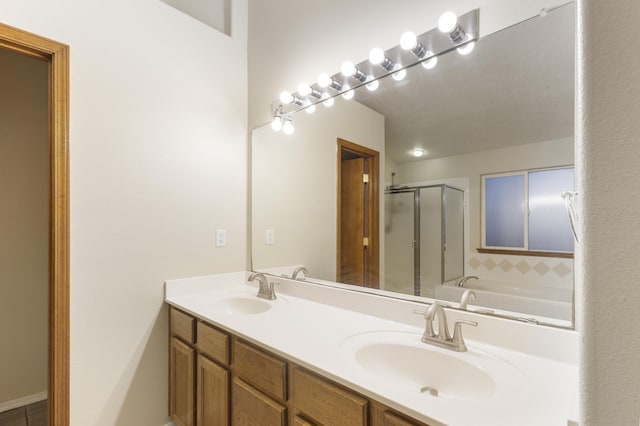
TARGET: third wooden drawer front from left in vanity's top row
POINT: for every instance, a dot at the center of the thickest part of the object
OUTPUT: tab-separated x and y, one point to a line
265	372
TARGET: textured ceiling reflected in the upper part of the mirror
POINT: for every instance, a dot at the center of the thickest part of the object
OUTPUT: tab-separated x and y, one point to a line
516	87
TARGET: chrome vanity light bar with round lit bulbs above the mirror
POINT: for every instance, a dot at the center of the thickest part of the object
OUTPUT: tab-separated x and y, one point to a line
453	32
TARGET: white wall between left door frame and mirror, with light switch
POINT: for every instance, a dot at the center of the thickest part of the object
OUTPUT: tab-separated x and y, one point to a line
158	144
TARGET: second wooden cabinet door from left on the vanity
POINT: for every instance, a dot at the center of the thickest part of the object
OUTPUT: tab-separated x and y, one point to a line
213	393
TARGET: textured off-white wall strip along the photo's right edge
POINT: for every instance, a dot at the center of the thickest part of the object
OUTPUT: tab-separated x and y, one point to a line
609	184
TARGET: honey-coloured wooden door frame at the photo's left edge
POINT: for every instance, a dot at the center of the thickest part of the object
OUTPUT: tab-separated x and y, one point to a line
57	55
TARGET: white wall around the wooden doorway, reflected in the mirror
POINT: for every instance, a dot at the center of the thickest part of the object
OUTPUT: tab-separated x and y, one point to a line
294	185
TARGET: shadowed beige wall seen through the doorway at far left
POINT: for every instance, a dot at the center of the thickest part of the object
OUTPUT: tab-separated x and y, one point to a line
24	177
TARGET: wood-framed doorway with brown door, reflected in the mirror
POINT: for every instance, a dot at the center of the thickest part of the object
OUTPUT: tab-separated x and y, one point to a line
357	215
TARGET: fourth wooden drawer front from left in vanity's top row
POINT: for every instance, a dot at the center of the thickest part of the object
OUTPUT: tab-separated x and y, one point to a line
325	403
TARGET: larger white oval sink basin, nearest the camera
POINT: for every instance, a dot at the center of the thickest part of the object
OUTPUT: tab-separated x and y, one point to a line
401	360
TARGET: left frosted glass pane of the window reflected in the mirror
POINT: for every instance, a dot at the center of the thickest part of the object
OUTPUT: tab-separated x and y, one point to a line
504	211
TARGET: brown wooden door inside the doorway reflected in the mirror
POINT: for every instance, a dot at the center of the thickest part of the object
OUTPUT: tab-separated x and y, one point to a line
352	222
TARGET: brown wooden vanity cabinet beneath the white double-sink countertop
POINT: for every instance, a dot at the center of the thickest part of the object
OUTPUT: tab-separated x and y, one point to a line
217	379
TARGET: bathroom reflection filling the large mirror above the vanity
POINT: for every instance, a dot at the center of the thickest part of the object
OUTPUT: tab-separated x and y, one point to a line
506	107
